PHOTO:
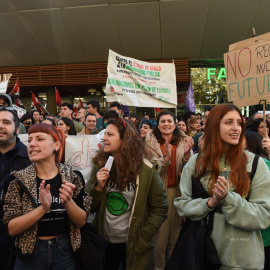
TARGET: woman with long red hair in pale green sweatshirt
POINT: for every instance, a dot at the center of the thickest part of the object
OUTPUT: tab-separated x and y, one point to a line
226	190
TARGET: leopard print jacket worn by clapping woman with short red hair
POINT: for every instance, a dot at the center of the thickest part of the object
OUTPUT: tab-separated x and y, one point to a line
16	206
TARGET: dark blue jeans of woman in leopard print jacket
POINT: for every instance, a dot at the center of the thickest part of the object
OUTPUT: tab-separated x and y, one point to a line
55	253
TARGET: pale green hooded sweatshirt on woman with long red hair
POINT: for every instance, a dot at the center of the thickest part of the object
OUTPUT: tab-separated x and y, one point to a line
236	230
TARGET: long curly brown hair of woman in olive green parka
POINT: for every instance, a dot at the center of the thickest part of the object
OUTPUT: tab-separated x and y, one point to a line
127	165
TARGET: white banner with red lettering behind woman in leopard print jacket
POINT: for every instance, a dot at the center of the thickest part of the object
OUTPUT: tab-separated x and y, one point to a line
79	151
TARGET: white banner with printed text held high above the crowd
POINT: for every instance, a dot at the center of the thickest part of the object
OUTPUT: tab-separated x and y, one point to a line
140	84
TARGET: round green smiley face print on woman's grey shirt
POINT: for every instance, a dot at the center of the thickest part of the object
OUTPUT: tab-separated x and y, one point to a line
116	203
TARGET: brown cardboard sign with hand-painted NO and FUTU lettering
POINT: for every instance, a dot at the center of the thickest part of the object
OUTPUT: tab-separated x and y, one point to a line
248	71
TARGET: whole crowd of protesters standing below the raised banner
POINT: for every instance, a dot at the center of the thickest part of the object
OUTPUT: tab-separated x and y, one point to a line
185	192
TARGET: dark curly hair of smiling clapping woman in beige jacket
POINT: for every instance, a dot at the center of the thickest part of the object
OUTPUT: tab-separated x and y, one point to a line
177	134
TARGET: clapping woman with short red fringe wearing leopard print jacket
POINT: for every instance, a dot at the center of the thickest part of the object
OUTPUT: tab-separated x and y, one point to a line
46	204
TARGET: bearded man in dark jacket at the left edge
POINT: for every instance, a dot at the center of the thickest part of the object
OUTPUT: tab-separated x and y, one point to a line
13	156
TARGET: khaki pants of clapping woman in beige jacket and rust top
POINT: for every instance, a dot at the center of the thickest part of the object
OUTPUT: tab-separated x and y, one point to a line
168	233
